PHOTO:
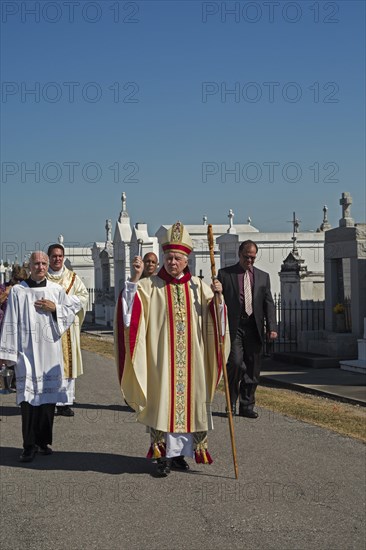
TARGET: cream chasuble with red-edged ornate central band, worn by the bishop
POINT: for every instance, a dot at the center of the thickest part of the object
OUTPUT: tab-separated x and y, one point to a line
168	359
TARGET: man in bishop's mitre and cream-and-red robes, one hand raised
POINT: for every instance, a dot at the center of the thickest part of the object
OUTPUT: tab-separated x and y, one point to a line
167	352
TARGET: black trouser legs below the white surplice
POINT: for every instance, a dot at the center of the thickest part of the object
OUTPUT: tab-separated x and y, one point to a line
37	424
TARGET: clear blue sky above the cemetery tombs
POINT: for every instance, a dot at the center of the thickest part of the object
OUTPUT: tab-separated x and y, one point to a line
189	109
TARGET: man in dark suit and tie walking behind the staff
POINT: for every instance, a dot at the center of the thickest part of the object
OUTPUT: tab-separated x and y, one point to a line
248	297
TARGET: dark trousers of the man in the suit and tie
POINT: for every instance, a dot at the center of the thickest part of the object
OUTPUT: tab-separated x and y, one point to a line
244	363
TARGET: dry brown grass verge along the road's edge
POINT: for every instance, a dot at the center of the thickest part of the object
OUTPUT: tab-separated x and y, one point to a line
349	420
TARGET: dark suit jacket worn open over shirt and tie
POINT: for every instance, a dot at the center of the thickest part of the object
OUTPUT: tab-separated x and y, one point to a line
263	305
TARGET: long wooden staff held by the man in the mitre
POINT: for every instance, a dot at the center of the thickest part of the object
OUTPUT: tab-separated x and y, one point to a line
221	346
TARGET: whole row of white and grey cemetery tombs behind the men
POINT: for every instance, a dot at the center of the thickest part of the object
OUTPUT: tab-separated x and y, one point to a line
309	269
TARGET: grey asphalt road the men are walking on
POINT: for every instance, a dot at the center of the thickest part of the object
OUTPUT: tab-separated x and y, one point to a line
300	486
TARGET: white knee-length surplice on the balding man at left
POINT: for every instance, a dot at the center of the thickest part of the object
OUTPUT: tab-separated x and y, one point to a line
31	340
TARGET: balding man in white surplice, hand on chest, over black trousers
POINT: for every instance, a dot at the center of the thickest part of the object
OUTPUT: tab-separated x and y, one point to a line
38	313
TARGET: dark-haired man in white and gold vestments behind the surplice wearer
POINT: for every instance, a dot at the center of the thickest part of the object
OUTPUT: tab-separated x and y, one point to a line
71	348
